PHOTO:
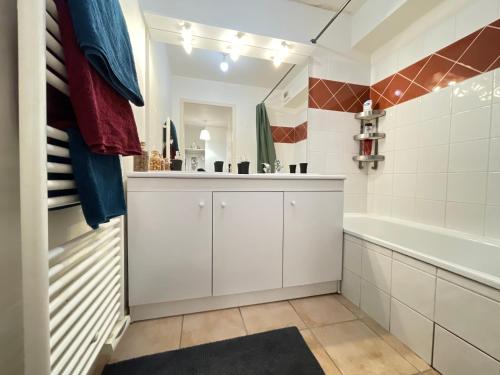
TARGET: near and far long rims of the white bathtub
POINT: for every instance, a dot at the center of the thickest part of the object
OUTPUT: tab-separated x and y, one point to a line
481	277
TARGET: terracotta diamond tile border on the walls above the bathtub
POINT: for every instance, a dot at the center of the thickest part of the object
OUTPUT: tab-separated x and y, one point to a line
476	53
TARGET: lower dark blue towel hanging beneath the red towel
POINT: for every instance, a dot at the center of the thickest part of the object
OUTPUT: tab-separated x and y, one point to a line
98	180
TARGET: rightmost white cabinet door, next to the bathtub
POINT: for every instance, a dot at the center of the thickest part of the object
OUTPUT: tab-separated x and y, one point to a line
312	238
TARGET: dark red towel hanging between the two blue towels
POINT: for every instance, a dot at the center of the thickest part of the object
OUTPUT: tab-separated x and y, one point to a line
104	117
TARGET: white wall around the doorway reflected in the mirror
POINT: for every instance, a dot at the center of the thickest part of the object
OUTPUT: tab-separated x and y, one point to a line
243	99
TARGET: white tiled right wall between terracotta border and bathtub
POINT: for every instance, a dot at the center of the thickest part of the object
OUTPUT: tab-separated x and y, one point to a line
443	159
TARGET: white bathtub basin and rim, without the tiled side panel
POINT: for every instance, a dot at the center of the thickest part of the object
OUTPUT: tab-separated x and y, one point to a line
473	257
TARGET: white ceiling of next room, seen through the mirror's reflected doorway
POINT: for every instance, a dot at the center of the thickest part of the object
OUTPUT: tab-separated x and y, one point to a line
200	115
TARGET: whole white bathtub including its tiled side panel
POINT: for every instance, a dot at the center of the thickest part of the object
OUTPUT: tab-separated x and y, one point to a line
435	289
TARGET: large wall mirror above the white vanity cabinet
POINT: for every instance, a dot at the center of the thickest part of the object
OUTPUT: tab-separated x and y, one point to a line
213	97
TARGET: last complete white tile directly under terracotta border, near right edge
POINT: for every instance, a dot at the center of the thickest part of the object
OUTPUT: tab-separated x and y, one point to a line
472	93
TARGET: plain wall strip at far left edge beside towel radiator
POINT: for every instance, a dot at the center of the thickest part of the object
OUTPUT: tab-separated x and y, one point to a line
11	312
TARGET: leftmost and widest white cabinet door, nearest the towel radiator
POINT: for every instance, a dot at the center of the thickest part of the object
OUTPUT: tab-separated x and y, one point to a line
169	246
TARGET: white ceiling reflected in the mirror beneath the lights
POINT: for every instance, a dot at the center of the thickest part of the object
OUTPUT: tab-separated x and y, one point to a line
204	64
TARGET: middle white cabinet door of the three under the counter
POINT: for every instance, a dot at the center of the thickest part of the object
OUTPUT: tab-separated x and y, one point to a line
247	241
